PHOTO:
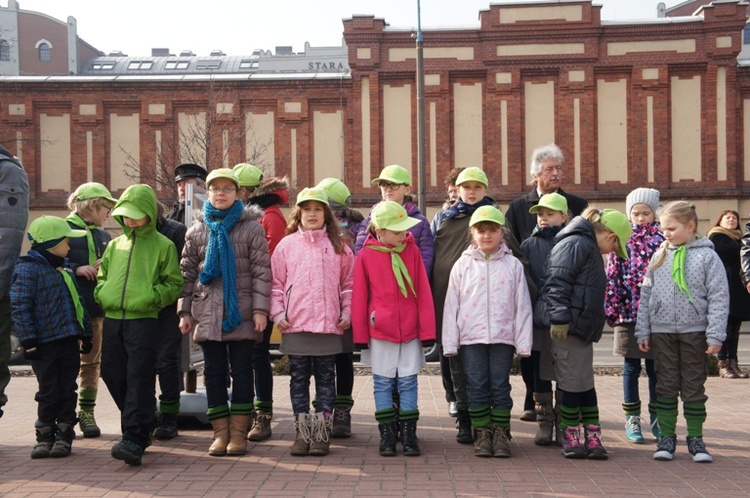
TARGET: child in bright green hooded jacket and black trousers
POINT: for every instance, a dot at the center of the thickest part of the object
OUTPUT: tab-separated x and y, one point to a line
139	275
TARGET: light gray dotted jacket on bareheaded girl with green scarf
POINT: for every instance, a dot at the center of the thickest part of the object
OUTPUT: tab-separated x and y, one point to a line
664	309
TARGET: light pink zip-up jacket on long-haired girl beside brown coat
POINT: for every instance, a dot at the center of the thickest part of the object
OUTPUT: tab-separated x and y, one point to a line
312	285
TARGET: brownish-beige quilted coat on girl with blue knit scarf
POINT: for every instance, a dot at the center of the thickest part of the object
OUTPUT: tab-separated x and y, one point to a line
206	303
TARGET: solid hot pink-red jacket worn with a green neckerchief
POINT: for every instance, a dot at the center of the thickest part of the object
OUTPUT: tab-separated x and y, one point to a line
379	309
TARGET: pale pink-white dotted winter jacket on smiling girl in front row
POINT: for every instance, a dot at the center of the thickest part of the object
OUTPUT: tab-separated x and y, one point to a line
487	303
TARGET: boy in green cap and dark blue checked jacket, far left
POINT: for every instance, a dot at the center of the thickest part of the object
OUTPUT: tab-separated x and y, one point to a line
50	318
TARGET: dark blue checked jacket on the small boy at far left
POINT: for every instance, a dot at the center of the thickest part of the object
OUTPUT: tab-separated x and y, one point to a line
42	309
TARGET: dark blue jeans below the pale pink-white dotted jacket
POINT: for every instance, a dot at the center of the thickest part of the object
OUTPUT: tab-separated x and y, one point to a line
487	369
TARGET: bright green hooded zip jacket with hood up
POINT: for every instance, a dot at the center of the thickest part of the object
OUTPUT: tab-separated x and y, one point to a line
140	270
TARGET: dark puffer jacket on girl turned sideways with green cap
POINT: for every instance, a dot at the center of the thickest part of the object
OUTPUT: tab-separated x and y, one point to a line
575	283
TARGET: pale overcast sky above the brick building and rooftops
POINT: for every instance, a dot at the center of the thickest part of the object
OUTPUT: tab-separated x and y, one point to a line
239	26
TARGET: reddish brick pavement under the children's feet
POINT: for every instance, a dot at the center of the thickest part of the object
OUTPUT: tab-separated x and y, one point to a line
181	467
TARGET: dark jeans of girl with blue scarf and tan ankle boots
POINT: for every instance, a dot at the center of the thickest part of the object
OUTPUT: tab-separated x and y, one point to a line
236	357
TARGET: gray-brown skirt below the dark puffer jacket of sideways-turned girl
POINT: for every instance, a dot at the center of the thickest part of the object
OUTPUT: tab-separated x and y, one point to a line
573	359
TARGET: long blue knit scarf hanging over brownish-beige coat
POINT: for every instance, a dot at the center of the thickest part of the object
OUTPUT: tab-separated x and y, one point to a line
220	258
